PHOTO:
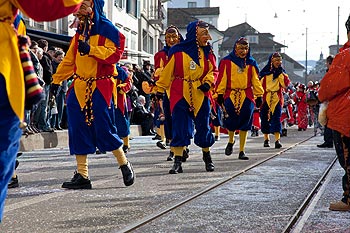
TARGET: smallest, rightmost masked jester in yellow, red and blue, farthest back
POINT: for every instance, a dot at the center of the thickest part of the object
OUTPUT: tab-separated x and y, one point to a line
274	79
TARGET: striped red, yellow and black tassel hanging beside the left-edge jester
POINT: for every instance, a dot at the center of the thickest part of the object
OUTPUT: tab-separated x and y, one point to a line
34	92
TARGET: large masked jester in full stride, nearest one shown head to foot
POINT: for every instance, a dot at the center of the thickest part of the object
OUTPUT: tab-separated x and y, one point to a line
94	50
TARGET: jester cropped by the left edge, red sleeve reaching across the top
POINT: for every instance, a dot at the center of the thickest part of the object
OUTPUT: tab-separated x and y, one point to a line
12	76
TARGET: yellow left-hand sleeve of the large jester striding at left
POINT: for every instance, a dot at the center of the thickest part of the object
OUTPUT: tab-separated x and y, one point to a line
66	68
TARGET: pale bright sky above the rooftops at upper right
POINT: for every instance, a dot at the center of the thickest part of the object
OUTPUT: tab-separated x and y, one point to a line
290	21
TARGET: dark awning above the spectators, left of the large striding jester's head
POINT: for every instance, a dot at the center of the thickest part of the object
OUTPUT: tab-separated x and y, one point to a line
57	40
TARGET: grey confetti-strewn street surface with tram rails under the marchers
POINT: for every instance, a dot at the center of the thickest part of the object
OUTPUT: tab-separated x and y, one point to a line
262	199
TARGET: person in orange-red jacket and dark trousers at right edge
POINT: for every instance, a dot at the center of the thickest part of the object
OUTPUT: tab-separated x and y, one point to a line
335	88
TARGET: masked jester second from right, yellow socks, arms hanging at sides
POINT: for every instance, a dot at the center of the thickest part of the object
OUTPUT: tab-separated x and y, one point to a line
237	84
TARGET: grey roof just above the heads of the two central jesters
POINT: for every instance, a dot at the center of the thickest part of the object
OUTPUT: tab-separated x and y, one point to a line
181	17
